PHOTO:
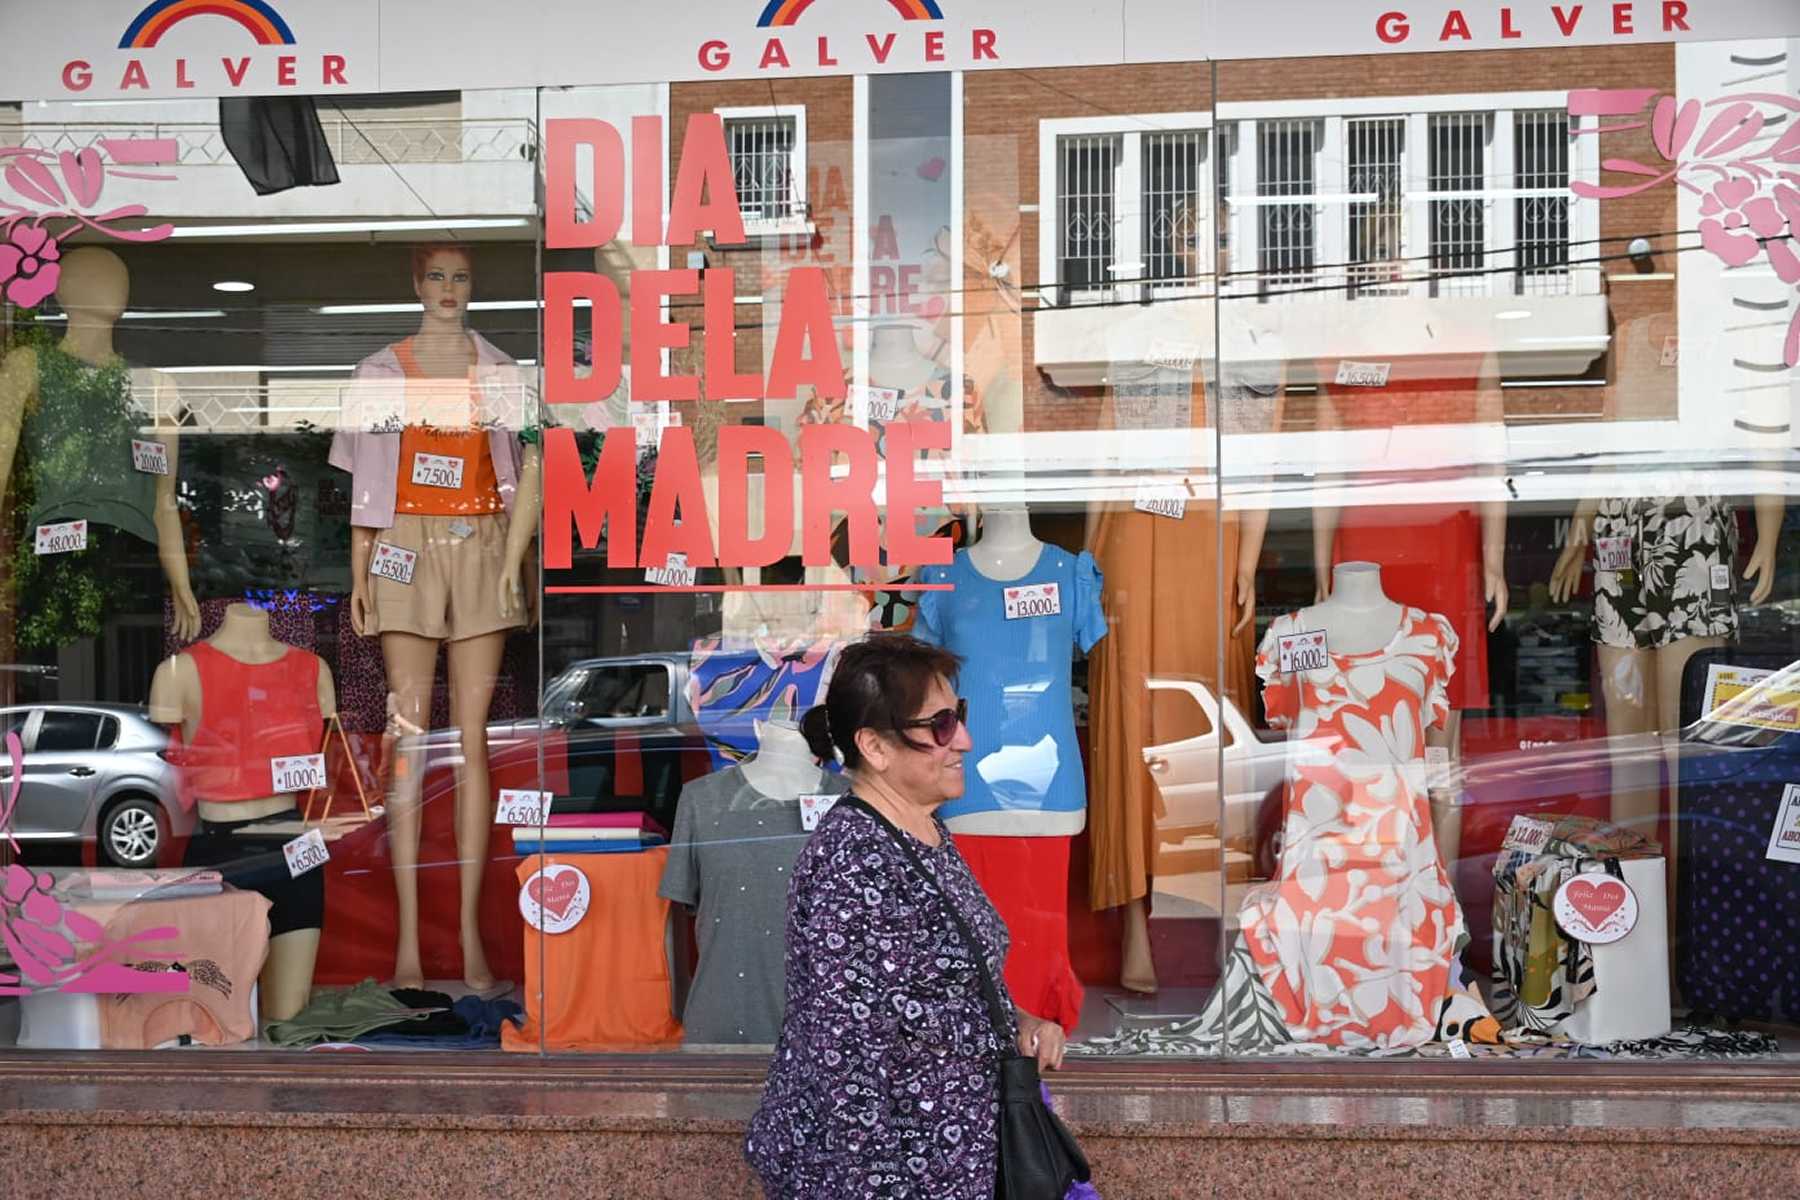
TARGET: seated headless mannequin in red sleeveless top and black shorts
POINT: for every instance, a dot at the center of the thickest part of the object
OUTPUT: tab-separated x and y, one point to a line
179	697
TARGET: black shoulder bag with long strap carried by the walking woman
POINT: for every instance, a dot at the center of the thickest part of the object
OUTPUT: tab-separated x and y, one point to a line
1039	1160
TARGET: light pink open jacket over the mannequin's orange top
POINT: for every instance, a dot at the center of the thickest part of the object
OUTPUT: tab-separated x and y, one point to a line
373	458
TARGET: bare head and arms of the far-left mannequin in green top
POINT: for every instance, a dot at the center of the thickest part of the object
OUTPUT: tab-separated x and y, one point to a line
93	291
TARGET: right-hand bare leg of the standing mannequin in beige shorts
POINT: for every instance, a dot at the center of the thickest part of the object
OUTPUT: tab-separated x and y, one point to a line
474	663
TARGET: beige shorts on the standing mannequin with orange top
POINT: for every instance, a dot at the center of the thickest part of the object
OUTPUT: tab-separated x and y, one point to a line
456	580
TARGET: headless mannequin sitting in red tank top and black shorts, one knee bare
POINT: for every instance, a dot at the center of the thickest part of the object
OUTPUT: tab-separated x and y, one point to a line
251	672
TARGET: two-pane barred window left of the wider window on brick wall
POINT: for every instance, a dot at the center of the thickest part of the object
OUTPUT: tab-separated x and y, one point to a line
1133	211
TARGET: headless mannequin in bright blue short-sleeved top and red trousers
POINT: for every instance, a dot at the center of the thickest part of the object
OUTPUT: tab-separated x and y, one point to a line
1016	614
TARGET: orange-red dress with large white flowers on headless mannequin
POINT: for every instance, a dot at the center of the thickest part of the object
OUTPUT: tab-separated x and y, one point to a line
1358	935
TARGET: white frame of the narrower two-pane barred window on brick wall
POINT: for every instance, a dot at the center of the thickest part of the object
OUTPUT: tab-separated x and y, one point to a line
1128	204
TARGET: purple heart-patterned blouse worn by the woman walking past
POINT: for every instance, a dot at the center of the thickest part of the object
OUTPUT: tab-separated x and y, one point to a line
886	1080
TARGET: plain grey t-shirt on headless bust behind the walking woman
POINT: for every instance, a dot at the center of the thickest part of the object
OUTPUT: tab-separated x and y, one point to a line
732	855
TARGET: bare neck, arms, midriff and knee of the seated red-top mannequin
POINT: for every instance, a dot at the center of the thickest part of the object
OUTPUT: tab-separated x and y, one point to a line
175	697
